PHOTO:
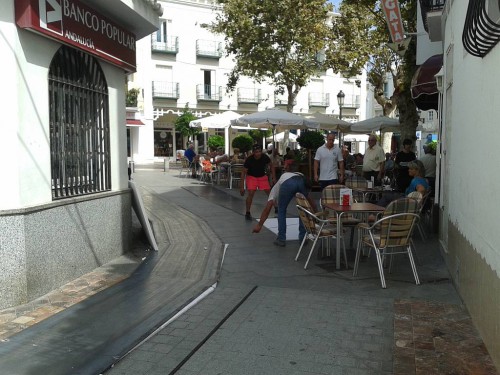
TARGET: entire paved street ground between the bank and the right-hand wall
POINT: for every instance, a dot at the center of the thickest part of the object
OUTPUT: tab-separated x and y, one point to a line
267	314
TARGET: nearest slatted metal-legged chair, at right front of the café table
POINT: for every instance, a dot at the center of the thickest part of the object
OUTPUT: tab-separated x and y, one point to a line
392	231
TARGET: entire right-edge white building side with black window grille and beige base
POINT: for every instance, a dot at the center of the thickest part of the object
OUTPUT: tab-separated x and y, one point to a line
469	135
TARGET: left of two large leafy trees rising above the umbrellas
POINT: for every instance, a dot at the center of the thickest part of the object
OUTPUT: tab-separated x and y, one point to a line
281	42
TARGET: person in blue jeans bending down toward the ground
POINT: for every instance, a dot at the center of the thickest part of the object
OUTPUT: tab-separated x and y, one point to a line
281	194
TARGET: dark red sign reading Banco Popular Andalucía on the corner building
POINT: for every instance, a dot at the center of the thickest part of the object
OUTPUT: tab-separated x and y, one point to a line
80	26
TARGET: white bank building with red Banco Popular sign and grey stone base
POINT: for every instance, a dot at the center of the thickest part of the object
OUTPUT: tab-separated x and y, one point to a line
64	201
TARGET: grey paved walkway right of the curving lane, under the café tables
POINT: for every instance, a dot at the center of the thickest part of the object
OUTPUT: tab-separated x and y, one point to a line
270	316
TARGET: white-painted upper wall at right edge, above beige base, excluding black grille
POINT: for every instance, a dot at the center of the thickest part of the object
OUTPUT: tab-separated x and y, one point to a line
473	135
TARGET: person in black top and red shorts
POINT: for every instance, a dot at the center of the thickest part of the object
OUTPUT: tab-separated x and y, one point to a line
254	170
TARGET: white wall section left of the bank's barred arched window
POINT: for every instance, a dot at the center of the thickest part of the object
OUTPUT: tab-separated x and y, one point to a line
24	144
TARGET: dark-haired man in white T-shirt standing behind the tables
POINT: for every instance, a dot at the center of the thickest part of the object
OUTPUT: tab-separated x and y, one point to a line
328	159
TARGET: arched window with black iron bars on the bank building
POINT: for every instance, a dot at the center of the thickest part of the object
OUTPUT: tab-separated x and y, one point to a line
79	125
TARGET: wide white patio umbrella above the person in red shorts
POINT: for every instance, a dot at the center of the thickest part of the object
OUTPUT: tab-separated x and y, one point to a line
277	120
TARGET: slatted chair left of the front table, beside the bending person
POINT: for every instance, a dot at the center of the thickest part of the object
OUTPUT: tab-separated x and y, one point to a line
315	226
